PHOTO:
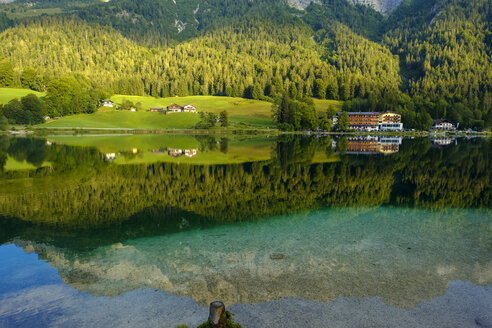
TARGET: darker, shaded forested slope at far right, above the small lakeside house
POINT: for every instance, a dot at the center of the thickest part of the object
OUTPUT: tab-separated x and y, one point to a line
444	49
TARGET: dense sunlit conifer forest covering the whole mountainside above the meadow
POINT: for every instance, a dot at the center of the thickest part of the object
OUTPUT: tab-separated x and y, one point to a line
425	59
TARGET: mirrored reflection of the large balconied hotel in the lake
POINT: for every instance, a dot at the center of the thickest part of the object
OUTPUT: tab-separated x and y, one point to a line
367	145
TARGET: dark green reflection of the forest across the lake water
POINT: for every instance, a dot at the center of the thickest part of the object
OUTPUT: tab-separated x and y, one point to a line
81	188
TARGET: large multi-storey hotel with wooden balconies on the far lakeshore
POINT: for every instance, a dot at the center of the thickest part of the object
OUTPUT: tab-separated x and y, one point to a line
372	121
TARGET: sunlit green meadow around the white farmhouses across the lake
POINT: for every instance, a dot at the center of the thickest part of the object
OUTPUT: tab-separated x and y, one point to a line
241	111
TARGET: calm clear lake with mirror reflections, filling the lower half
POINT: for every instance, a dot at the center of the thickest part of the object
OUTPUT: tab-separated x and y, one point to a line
147	230
